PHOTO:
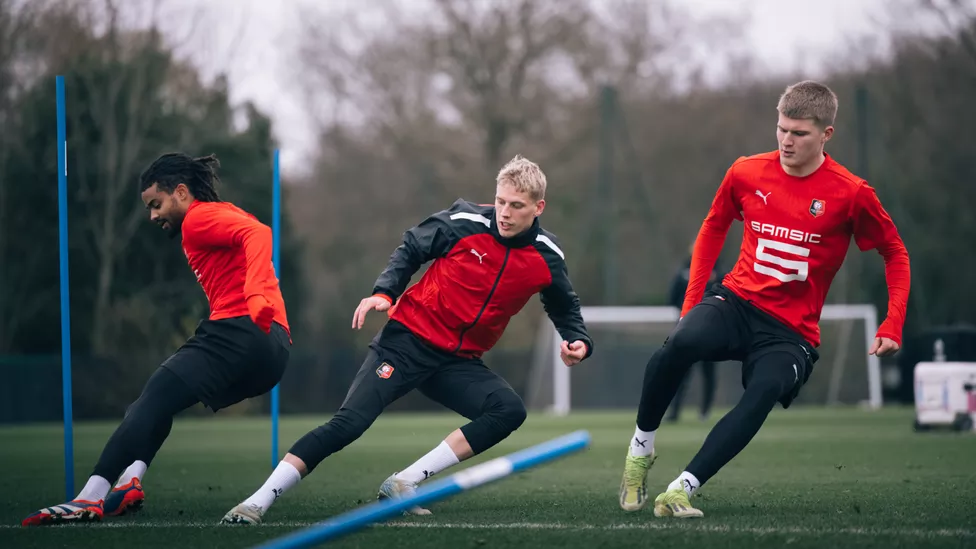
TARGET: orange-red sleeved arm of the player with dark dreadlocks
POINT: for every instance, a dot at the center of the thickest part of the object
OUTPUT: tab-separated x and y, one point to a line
231	229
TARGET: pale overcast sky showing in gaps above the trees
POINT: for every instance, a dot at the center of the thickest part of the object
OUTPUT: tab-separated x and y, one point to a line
782	36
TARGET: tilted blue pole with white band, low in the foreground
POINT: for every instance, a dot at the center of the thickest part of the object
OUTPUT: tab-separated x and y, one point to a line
464	480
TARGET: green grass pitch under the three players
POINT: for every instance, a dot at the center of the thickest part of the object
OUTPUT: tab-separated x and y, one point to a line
812	478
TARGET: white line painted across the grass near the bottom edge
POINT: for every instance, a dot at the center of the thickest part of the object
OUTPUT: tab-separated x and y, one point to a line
657	525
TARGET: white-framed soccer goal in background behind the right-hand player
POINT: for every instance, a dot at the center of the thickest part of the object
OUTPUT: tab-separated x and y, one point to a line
625	338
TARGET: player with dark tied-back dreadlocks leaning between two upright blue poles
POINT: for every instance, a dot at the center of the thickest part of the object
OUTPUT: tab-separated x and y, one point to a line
240	352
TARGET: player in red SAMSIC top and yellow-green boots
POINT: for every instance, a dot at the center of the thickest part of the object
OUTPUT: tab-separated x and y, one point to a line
800	209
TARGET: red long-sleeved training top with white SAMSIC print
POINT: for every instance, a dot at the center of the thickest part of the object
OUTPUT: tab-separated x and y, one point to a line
797	233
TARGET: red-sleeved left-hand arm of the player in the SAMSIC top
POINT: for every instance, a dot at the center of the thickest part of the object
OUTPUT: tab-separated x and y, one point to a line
711	238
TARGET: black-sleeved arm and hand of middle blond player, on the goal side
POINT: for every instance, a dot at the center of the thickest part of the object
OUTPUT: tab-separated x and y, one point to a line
561	304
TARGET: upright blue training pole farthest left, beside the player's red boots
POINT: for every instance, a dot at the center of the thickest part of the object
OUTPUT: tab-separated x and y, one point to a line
69	459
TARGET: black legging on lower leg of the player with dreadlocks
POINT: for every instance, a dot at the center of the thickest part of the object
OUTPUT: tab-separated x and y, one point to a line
146	425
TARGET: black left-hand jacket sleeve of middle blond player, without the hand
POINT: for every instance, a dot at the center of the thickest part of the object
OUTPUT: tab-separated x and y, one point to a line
432	238
